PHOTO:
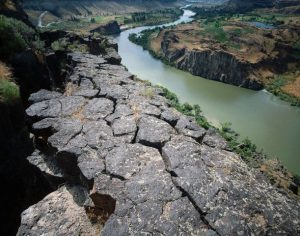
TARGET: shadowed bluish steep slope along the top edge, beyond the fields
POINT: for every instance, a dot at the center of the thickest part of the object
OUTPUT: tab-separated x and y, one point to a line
68	9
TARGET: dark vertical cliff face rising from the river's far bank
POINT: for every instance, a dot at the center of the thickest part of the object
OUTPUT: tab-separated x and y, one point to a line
216	65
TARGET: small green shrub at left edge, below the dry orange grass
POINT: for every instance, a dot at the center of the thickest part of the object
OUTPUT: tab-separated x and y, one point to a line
9	91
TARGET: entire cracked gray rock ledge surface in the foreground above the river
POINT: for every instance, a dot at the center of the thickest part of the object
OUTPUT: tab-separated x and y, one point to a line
132	165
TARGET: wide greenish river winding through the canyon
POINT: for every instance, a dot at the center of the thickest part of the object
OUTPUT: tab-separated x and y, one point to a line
273	125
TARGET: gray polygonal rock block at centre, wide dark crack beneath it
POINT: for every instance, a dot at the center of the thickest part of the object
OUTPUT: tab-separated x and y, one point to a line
153	132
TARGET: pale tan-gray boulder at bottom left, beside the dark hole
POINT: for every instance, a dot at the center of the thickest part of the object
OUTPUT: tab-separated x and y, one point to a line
58	214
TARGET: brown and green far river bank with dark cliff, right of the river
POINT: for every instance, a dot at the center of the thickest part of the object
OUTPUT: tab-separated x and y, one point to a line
230	50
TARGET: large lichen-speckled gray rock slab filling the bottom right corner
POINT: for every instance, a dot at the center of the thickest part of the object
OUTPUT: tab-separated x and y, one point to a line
219	182
